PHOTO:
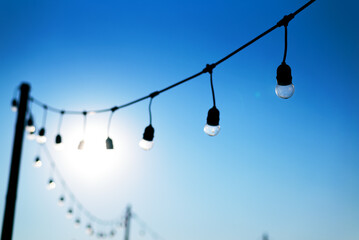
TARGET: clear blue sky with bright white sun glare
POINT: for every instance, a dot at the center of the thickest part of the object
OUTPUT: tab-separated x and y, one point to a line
288	168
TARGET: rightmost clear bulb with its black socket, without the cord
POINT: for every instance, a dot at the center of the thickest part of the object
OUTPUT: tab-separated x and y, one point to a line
285	87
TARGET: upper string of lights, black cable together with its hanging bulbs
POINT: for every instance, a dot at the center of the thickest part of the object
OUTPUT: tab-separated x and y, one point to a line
284	89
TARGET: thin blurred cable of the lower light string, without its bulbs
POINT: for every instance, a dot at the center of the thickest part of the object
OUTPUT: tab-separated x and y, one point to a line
72	196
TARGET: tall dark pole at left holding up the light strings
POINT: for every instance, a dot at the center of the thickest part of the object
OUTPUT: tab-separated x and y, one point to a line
8	221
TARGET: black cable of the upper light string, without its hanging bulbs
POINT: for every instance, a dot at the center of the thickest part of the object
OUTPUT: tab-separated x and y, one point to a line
285	20
